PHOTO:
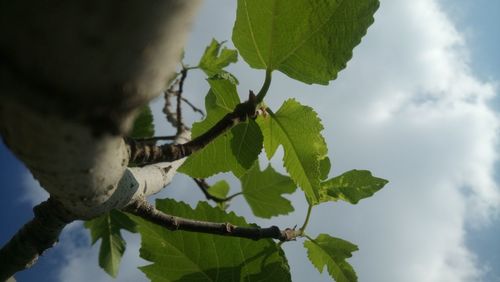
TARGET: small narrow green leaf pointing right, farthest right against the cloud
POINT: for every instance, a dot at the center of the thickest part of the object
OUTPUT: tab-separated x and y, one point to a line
351	186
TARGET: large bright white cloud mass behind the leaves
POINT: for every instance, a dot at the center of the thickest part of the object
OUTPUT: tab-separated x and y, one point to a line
409	108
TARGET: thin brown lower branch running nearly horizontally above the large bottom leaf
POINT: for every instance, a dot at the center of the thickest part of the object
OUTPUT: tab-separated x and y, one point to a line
148	212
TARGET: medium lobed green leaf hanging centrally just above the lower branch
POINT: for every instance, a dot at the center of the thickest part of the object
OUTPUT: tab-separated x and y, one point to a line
263	191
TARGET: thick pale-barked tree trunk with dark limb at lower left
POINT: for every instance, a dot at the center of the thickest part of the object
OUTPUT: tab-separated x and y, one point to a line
73	75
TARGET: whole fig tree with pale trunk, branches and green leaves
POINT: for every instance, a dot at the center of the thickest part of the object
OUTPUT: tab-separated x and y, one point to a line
82	129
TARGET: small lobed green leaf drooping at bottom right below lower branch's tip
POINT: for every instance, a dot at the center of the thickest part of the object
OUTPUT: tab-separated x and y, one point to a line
332	253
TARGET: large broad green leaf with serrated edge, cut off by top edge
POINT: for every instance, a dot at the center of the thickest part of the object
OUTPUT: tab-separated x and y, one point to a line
308	40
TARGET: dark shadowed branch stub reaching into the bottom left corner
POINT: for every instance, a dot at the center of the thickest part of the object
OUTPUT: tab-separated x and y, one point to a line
39	234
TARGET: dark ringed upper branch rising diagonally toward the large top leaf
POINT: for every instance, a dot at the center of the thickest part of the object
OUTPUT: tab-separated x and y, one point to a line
145	153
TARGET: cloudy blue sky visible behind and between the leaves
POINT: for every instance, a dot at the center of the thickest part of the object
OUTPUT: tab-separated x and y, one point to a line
418	105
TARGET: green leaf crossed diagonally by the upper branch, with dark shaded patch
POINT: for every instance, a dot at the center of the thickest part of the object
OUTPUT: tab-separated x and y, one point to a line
237	149
